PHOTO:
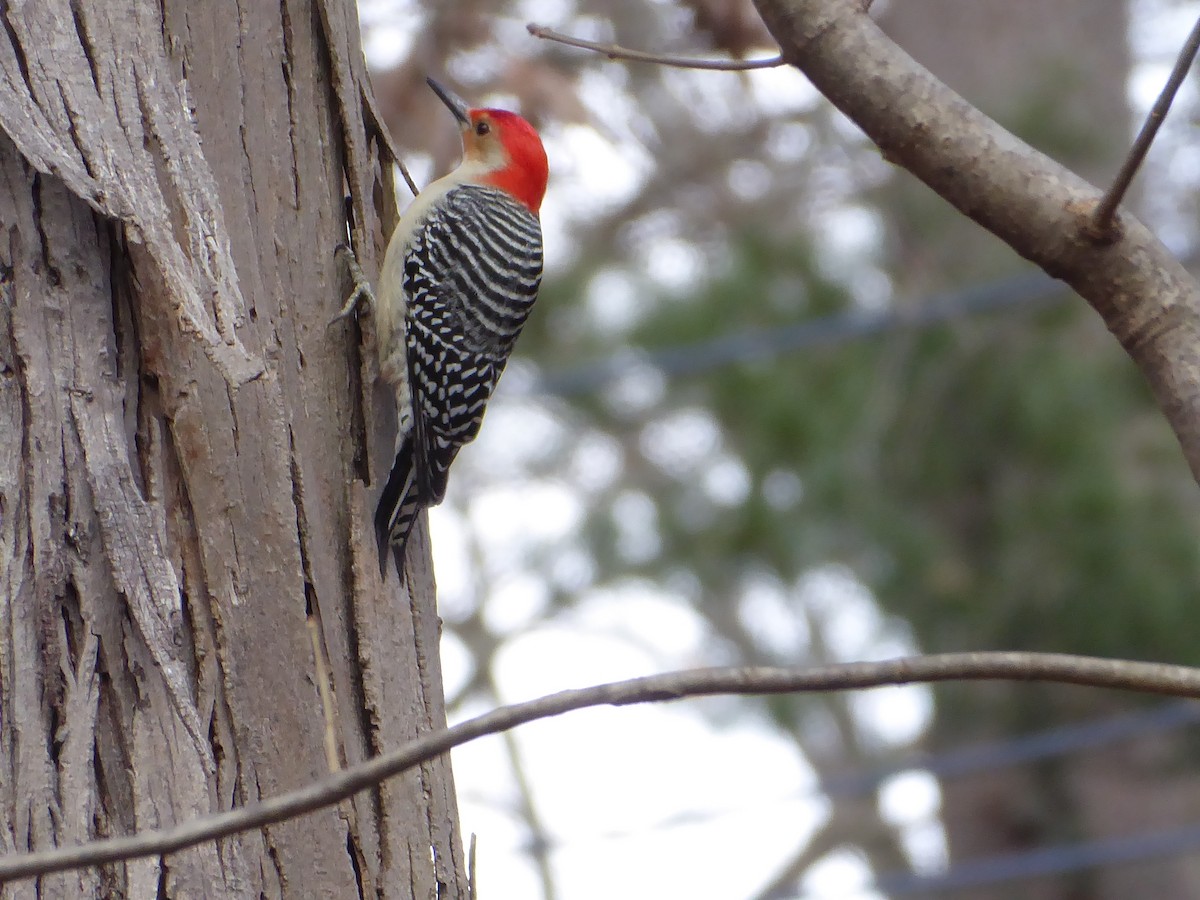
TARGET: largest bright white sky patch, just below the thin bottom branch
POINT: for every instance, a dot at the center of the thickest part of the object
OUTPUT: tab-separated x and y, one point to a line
688	809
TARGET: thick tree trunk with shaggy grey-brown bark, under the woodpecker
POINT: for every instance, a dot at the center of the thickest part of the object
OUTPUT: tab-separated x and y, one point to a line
184	526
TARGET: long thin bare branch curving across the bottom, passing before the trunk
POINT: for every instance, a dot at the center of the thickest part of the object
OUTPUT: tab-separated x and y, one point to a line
1064	669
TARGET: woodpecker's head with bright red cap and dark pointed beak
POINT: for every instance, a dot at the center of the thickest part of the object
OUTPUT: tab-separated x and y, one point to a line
500	148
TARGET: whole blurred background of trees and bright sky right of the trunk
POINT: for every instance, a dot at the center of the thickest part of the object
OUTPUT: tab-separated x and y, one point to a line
735	435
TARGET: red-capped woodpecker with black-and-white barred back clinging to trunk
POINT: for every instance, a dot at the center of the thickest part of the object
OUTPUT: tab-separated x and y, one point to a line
460	277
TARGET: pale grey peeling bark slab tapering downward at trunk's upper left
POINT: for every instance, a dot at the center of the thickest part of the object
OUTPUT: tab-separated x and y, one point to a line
106	115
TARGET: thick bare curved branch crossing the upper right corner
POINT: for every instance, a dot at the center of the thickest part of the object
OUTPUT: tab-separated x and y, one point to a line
1037	207
